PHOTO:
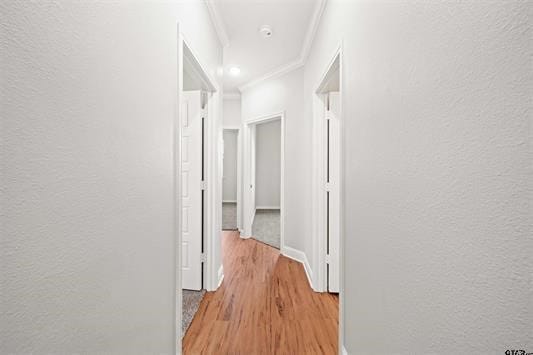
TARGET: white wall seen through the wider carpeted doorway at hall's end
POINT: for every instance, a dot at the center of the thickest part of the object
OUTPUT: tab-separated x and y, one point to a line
268	164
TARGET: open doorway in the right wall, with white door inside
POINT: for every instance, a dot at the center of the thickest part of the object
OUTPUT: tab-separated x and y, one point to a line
328	177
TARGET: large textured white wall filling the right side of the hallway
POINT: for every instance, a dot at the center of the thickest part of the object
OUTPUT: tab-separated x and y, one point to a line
437	108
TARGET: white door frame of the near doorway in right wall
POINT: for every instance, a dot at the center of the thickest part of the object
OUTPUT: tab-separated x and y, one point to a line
319	182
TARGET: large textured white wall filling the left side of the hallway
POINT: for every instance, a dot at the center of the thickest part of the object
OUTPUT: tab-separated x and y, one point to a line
87	104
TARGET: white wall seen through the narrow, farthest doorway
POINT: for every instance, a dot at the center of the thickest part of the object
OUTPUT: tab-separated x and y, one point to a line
229	185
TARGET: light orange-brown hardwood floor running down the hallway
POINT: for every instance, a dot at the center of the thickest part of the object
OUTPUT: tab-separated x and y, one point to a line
264	306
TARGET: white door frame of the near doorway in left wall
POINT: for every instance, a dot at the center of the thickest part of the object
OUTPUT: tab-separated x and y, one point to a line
213	189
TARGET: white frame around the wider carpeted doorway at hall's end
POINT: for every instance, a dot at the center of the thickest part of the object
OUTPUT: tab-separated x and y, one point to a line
249	210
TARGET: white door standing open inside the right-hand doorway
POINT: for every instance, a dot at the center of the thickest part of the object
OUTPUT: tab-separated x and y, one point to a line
333	191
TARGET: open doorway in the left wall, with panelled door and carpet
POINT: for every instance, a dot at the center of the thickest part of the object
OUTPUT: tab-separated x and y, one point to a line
195	186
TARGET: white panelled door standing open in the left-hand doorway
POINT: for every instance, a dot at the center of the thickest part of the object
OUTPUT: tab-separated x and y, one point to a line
192	214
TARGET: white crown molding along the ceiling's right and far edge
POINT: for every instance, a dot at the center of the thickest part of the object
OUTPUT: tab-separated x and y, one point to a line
306	48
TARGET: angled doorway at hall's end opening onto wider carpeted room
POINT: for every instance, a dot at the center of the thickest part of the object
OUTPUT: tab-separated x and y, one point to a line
264	180
